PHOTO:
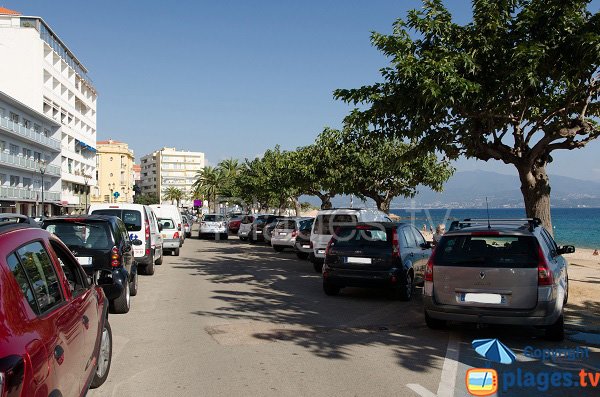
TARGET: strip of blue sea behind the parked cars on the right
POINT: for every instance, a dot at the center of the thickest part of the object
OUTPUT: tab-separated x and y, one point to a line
572	226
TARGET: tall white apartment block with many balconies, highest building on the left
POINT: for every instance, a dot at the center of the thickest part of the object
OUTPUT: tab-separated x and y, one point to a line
40	71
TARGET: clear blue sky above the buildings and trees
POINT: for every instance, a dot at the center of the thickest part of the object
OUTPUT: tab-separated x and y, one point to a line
234	78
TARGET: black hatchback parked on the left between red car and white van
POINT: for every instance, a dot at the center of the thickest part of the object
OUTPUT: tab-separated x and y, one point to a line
101	245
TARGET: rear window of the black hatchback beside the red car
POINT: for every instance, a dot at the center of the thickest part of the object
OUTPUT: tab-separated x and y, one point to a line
77	234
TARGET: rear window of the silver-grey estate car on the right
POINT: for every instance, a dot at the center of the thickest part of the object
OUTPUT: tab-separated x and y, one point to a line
488	251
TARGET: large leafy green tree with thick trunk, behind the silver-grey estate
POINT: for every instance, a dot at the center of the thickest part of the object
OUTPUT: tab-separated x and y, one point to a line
517	83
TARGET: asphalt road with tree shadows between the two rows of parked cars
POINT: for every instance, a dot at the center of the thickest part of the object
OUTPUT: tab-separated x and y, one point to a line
226	318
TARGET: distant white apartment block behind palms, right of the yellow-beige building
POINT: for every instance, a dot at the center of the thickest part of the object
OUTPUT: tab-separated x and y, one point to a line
169	167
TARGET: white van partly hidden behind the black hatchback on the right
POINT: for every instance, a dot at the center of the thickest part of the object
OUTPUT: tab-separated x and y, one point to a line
327	220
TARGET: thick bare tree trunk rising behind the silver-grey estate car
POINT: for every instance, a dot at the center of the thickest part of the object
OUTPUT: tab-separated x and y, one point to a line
535	187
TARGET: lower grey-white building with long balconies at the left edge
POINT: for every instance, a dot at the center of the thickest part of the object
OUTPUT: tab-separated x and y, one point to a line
29	160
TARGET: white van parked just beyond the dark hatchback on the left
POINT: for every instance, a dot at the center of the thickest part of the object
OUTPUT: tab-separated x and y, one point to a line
142	224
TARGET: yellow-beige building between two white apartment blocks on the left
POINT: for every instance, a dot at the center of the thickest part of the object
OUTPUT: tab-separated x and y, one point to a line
114	162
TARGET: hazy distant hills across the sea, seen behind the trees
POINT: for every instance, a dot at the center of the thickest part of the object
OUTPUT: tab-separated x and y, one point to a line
468	189
